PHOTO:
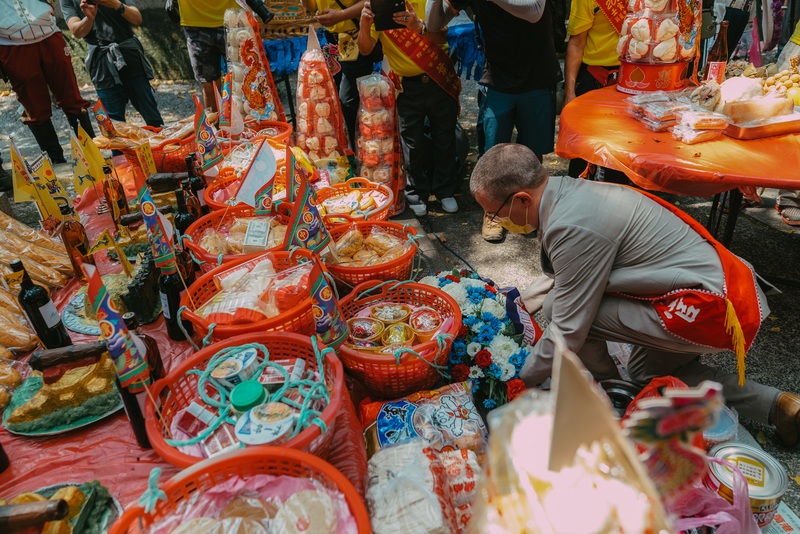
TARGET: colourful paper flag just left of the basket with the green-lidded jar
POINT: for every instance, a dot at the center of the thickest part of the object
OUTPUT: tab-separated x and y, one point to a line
130	363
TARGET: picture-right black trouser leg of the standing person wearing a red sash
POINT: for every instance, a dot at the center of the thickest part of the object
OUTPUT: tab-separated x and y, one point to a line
442	112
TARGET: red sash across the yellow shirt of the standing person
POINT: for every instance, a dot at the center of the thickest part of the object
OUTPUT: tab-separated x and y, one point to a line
429	57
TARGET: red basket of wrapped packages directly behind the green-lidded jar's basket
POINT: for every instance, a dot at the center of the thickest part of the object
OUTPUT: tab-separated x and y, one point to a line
299	319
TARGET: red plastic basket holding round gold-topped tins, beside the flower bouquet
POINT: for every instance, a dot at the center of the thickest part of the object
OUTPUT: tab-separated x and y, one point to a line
380	373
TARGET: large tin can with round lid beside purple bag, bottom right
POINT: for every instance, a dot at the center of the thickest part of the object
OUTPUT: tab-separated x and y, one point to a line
766	478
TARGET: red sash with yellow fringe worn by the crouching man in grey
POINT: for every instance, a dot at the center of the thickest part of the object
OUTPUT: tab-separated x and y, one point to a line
728	321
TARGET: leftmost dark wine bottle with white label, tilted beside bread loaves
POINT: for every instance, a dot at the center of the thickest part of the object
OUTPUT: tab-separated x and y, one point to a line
40	311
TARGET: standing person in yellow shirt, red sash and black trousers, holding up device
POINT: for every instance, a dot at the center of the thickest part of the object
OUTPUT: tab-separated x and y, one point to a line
426	94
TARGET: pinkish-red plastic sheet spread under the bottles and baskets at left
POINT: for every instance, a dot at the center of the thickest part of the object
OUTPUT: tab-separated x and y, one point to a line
107	450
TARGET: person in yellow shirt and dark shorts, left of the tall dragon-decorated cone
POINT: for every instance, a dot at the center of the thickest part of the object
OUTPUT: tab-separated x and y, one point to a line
205	38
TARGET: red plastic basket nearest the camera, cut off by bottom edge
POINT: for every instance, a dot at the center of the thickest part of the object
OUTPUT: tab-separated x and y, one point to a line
244	463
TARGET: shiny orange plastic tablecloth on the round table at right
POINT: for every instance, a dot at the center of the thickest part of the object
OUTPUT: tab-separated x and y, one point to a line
595	127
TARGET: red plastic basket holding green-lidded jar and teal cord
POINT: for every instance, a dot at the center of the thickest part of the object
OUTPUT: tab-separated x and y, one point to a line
182	388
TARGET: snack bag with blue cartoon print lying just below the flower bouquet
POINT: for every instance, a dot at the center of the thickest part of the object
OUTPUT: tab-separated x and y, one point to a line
445	417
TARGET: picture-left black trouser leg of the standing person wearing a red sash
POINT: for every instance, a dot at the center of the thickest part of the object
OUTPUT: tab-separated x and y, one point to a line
411	122
